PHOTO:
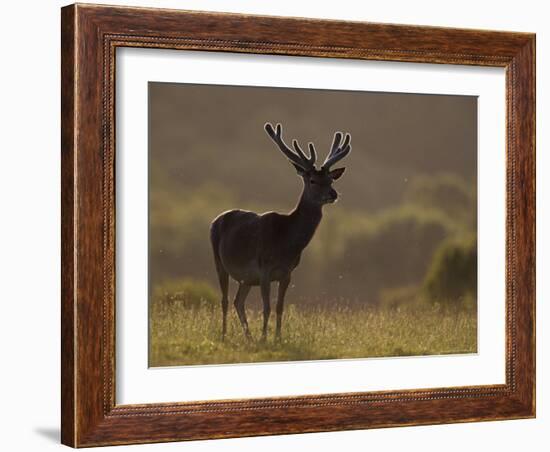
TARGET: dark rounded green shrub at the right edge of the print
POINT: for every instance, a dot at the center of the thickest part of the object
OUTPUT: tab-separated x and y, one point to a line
452	275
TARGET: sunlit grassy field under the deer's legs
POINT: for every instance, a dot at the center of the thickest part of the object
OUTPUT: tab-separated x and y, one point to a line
191	335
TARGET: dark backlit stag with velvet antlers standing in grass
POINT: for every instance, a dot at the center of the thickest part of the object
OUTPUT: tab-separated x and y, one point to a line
256	250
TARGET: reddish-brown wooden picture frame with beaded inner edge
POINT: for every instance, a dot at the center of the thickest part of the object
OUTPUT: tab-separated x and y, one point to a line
90	36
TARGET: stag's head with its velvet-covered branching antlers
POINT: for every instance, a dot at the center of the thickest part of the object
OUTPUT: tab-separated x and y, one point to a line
317	182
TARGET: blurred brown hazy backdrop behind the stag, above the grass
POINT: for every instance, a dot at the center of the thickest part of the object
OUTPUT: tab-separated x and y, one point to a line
405	223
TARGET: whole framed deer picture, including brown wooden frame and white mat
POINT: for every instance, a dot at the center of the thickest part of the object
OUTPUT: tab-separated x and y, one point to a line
386	272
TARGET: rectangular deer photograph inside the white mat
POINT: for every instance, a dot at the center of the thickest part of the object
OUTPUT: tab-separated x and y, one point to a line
290	224
